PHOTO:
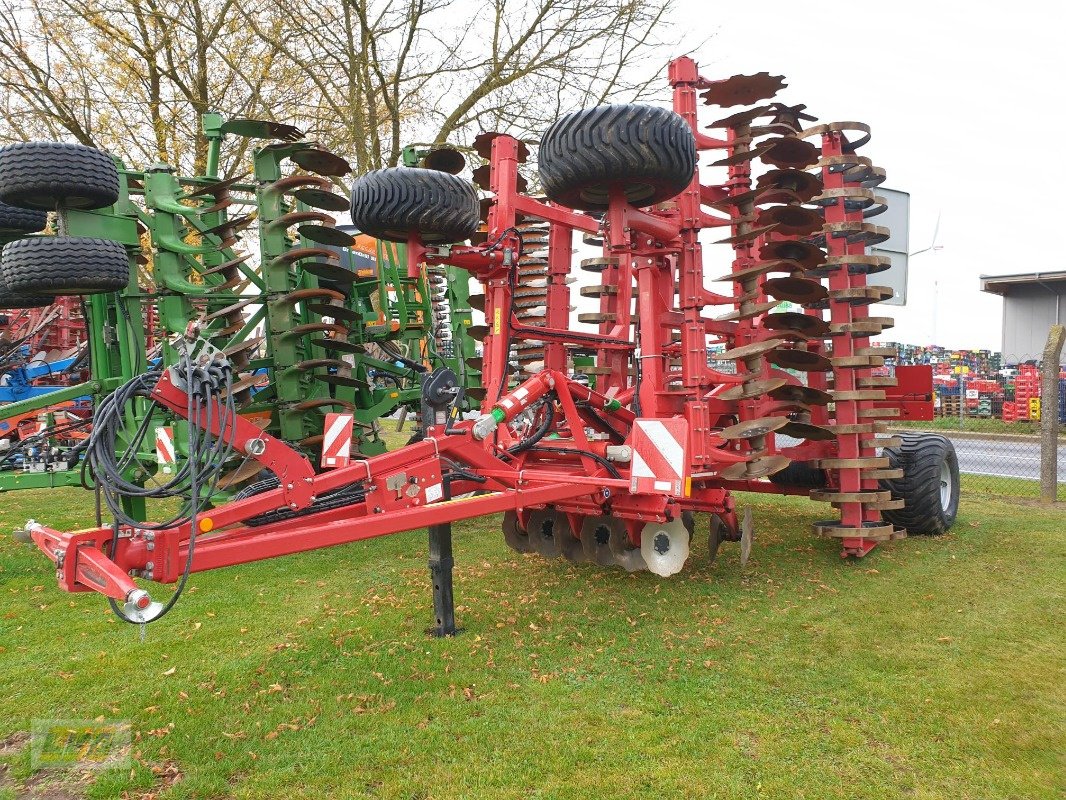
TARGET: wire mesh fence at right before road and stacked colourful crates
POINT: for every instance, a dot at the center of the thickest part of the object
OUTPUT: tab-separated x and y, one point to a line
991	408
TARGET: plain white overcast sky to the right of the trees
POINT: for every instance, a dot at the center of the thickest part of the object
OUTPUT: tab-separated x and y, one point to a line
965	100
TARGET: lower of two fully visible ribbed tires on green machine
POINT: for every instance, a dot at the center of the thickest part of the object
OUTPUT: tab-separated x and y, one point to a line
59	265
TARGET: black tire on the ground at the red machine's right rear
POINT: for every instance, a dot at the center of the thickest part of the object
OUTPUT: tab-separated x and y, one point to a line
929	486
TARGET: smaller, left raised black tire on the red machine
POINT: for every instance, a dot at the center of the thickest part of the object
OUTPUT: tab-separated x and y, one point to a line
395	203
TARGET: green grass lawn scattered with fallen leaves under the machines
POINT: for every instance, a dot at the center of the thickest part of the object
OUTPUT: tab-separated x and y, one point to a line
932	669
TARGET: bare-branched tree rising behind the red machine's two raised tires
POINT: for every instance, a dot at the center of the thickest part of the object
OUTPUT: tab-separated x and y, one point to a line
435	71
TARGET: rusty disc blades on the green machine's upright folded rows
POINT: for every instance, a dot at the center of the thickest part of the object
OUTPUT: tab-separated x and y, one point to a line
312	239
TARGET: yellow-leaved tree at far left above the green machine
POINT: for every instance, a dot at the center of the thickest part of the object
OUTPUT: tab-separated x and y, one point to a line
132	76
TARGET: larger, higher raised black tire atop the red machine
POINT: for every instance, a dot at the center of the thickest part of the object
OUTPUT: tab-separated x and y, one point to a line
645	151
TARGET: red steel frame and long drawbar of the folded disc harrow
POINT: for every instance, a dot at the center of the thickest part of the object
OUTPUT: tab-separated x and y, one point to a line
656	251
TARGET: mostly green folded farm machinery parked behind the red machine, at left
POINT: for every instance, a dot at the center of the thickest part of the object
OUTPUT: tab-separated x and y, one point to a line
314	318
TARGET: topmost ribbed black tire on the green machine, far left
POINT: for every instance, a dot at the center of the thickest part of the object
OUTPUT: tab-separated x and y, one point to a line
53	175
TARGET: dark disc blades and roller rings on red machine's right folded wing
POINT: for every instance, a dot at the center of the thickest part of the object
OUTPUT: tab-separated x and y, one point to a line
798	248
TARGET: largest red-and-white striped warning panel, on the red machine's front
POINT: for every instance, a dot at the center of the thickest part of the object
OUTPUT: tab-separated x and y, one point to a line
660	457
